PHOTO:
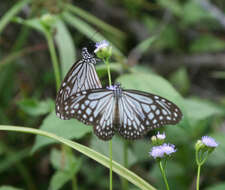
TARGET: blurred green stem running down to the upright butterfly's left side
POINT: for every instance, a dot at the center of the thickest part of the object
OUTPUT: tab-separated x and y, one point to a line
54	59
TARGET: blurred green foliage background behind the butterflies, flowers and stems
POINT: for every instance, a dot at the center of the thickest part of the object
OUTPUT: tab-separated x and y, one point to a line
173	48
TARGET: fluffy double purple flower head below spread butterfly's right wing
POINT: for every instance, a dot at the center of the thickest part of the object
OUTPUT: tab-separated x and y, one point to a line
162	150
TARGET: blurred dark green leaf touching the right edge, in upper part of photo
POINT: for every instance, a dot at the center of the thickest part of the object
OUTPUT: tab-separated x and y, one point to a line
207	43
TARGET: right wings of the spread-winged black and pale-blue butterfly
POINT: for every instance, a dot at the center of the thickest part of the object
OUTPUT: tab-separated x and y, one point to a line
140	112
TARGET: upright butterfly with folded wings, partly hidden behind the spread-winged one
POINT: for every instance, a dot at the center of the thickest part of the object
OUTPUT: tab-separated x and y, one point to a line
81	76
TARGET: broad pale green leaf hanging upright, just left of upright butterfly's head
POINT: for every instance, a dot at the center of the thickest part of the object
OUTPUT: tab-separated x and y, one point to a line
64	42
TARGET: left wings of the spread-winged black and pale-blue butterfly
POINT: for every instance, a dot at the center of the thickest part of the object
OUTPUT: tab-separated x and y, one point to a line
93	107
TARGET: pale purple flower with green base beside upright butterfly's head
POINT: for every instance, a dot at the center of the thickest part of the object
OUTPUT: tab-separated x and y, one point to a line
103	50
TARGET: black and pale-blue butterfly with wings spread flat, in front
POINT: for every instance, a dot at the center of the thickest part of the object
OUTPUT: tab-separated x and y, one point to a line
131	113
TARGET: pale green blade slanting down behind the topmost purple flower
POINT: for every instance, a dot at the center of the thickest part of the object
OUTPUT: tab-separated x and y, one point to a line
87	30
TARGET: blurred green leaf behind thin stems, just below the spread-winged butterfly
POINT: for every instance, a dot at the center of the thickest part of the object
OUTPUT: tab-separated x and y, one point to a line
117	144
